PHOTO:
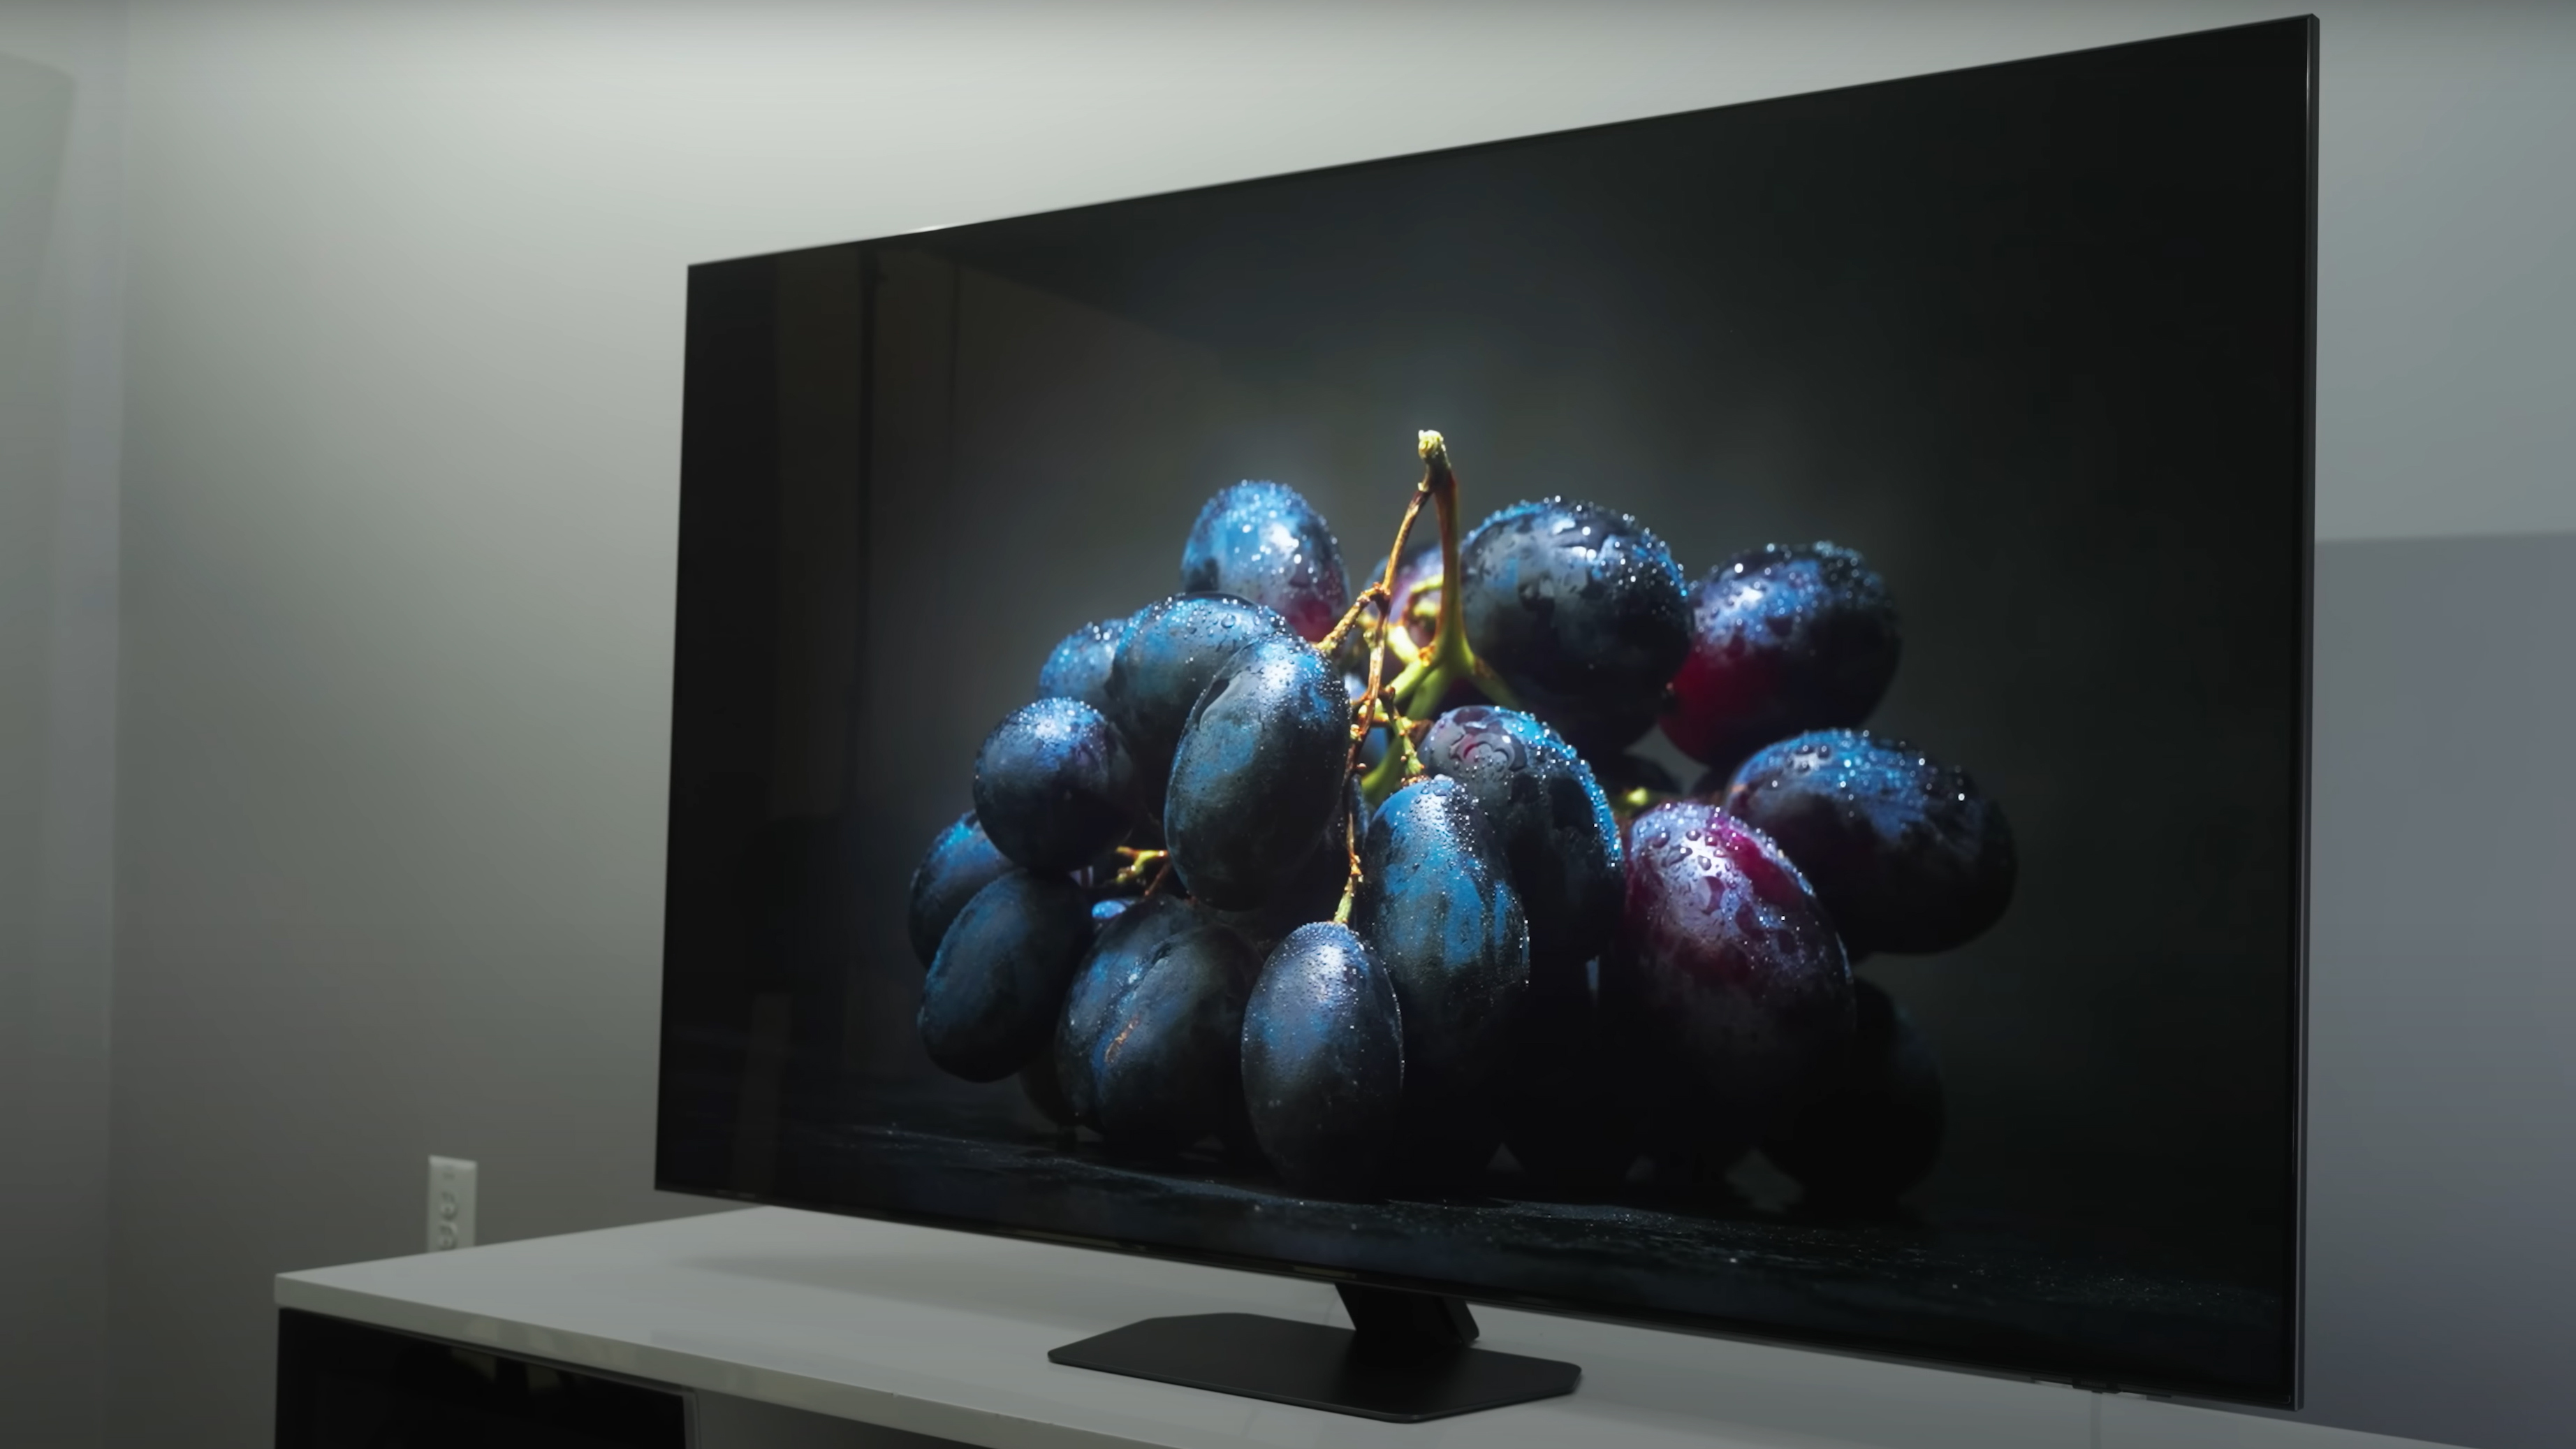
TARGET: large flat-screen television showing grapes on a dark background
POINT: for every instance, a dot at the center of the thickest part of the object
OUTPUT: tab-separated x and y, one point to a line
1696	721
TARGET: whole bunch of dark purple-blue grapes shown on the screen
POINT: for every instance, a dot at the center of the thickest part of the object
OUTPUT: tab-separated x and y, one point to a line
1369	886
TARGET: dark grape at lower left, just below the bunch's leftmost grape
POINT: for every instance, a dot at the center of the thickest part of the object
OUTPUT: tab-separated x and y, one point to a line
998	981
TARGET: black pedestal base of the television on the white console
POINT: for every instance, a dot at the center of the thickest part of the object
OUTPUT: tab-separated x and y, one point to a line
1408	1360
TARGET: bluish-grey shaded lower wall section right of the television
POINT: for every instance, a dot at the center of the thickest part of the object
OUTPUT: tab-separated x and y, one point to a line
2443	989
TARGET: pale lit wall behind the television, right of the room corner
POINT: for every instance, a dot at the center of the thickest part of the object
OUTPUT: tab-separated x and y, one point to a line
401	491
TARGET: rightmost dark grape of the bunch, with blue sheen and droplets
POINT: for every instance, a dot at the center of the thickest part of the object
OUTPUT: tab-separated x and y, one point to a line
1905	852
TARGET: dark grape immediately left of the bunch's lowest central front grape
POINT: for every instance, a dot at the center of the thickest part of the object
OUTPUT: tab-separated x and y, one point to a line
1166	1069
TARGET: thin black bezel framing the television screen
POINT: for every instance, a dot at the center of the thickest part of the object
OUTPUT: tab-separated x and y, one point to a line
2291	1383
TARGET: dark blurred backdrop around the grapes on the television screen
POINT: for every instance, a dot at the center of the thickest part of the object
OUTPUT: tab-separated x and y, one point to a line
2034	339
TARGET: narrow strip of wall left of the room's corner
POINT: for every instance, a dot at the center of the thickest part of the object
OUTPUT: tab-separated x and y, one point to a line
61	112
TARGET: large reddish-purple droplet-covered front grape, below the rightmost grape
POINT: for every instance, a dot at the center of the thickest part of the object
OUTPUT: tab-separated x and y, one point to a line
1727	989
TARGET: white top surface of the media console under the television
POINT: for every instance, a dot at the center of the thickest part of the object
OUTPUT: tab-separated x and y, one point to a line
795	1329
